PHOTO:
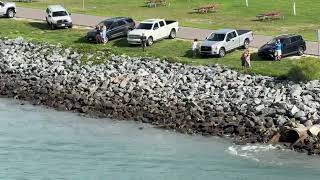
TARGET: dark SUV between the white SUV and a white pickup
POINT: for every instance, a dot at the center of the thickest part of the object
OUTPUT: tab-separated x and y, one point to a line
116	27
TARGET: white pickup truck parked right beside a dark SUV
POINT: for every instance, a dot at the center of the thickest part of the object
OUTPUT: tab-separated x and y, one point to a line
153	30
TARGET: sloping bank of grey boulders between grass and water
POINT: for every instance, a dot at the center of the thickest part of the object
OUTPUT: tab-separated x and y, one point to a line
209	100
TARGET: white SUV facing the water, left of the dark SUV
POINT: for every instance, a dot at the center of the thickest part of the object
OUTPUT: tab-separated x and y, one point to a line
58	17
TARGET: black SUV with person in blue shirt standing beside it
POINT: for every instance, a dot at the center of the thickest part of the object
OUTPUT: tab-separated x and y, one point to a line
291	44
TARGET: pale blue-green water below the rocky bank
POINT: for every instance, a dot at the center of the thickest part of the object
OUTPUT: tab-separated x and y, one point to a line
40	143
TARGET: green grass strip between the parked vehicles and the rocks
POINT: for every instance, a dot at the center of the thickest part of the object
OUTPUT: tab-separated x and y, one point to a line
172	50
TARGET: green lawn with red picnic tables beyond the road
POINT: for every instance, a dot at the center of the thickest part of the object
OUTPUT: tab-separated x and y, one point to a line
232	13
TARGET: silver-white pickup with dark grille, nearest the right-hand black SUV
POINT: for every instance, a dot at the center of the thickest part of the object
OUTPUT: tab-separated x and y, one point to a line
224	40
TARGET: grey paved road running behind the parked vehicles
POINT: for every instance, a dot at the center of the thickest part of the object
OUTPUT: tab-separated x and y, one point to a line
184	32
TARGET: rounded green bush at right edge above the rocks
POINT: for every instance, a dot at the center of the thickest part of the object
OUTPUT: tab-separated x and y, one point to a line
305	70
